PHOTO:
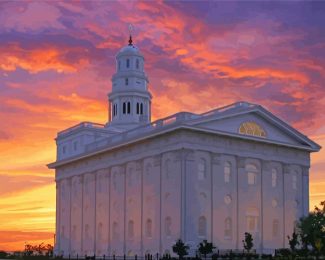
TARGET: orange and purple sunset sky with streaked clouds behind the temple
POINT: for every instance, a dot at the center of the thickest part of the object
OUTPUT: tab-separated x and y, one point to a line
57	59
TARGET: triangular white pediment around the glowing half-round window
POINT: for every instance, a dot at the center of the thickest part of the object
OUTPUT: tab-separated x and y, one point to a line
274	129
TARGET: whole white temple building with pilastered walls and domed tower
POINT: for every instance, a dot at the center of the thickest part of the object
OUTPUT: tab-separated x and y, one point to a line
133	186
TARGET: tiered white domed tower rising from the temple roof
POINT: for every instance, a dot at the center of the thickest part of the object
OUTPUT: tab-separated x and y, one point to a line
130	100
